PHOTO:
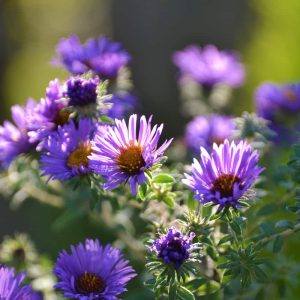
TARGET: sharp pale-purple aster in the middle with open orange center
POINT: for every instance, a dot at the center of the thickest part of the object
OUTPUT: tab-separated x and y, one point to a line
120	155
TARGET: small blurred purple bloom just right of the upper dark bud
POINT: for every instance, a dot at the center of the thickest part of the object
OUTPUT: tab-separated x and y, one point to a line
121	105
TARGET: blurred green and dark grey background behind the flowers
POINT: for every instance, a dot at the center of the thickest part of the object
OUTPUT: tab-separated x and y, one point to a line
265	32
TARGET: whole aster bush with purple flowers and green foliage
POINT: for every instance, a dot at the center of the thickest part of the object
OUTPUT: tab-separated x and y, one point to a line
206	215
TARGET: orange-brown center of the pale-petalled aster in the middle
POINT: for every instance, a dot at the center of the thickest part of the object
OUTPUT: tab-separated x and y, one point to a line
130	160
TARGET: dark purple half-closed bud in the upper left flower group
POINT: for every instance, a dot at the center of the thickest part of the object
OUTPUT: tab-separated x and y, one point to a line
81	92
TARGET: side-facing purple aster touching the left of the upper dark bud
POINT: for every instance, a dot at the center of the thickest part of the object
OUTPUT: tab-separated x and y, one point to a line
49	114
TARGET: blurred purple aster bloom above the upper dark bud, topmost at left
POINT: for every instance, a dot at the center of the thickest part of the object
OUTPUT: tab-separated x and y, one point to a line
102	56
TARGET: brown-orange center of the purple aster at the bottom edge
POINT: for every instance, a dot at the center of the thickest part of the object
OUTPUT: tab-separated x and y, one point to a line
90	283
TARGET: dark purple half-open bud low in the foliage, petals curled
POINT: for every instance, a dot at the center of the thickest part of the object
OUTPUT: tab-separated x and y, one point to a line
174	247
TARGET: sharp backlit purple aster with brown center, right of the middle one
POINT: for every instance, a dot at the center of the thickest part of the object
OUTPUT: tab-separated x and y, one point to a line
223	177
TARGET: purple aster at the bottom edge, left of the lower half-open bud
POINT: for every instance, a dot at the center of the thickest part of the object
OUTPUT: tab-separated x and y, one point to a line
92	271
